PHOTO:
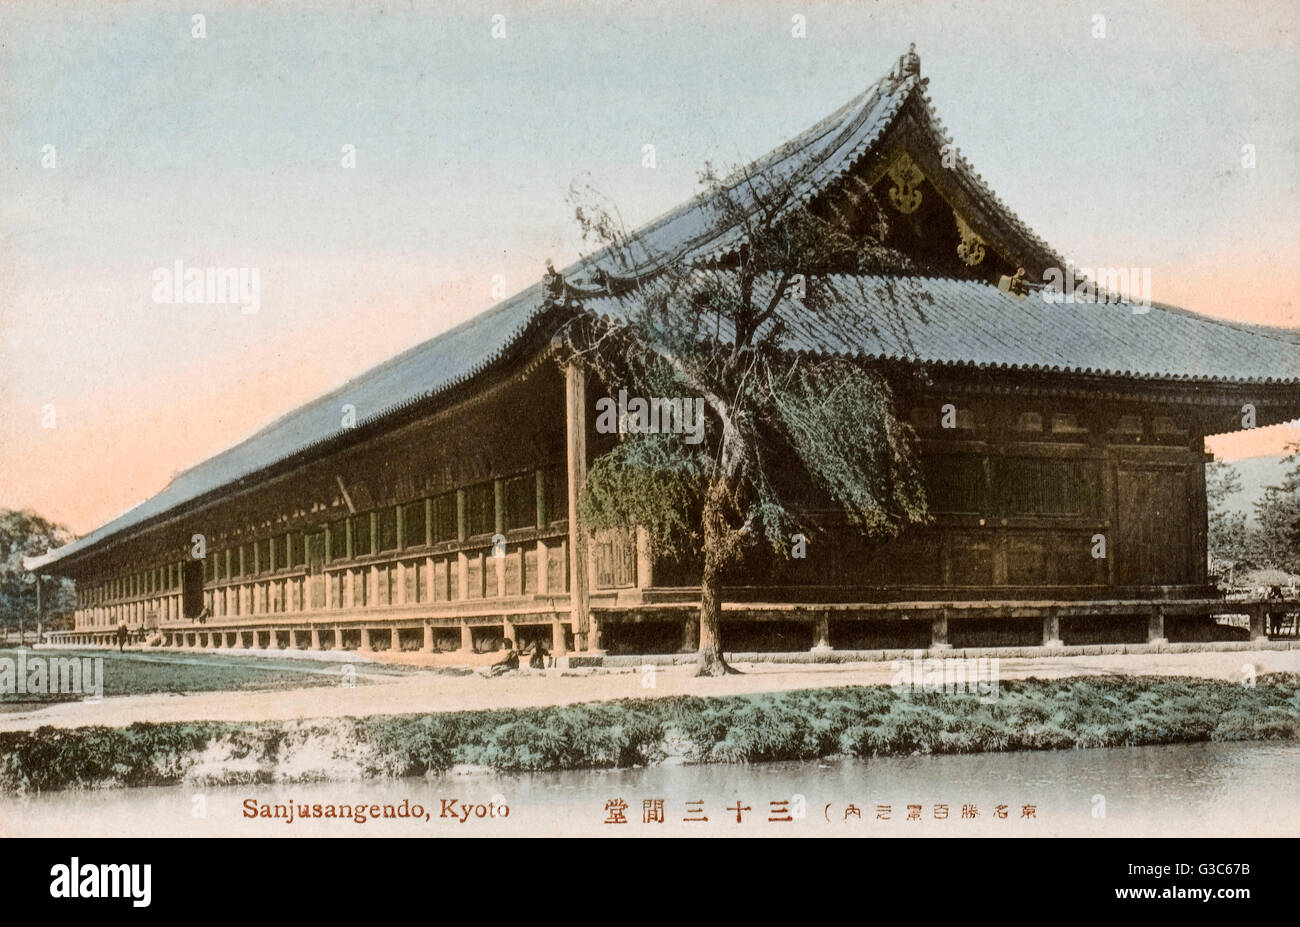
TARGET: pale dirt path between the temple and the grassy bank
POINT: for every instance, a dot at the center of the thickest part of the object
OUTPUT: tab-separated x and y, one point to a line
427	692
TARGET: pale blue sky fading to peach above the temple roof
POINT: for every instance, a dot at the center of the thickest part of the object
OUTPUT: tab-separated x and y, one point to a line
226	151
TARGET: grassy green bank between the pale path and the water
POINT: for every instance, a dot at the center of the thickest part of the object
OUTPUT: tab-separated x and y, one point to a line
863	722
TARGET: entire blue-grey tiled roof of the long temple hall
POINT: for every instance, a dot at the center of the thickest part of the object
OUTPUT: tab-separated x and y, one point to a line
950	322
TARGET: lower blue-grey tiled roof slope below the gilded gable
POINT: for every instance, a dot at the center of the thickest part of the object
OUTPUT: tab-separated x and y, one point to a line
973	324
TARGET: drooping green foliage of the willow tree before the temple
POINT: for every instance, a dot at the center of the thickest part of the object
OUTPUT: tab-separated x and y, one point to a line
786	434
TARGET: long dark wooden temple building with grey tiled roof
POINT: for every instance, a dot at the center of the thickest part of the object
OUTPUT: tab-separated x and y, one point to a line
445	518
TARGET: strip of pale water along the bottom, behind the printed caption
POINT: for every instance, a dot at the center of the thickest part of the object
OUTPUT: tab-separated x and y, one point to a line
1211	790
